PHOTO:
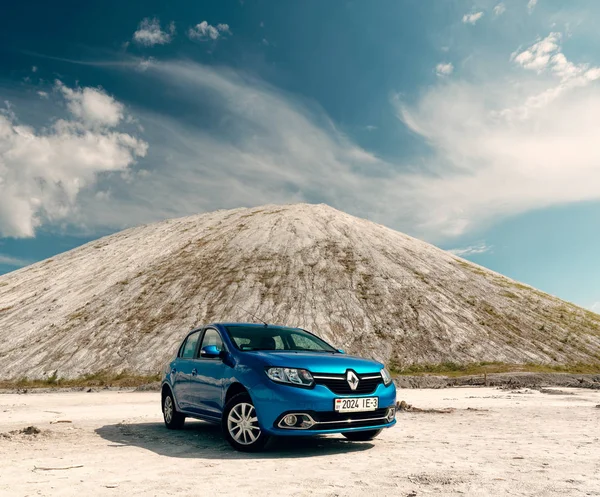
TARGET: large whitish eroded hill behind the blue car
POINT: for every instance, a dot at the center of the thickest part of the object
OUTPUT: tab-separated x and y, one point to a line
123	302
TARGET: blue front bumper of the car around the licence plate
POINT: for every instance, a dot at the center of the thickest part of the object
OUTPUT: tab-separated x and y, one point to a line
273	401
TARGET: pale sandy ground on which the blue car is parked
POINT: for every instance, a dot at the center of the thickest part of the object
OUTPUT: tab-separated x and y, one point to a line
494	442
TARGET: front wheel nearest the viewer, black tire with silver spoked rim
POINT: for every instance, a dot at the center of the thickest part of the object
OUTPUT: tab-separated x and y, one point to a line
240	425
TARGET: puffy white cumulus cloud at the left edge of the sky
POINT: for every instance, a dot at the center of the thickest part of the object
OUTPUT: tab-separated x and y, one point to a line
43	171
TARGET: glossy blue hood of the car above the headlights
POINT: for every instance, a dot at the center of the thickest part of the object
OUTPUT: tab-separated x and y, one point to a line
319	362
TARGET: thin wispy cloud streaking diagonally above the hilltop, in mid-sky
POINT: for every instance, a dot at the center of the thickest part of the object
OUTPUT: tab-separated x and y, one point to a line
269	148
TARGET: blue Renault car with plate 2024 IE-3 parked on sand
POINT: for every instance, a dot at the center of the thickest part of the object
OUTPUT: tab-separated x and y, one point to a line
259	381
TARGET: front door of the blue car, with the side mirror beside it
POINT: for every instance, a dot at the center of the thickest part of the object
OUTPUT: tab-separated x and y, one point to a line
207	380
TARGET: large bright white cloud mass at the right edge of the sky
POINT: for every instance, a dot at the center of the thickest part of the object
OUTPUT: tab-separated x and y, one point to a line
506	146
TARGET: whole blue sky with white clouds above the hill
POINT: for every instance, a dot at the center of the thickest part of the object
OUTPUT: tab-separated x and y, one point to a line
470	124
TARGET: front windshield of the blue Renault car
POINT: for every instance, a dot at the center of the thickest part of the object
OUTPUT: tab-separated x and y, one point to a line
272	338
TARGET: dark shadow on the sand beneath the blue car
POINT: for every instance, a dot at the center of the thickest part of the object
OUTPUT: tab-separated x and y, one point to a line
205	440
